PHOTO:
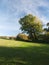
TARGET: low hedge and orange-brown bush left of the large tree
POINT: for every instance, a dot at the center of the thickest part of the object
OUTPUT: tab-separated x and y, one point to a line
18	37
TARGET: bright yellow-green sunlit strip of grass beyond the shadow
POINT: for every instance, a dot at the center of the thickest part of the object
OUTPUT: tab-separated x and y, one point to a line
12	43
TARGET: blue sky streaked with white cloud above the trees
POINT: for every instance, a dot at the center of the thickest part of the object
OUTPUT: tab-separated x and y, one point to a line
12	10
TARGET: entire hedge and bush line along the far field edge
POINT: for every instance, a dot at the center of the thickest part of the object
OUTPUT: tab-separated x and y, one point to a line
23	37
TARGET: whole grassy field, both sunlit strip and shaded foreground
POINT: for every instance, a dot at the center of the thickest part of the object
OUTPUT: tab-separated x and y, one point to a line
23	53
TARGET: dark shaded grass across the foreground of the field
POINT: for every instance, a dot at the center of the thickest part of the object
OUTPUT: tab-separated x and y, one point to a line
24	55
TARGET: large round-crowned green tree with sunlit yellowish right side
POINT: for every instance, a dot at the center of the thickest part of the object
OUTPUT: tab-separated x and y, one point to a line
31	25
